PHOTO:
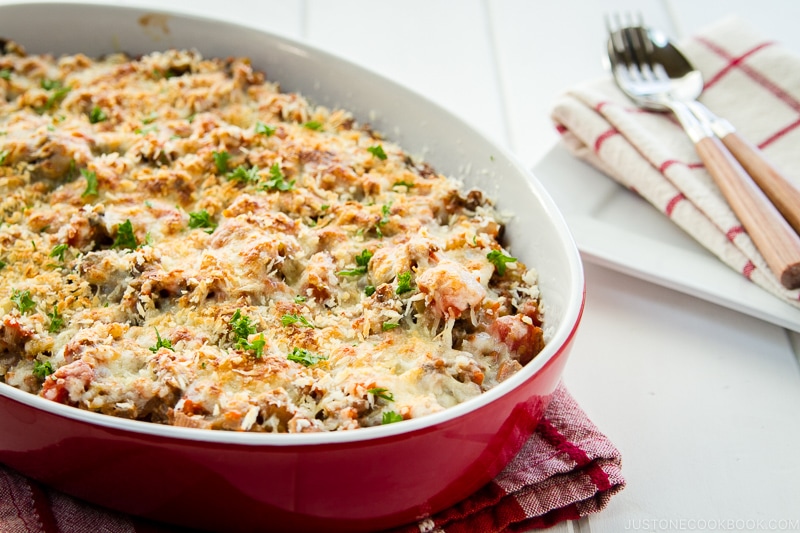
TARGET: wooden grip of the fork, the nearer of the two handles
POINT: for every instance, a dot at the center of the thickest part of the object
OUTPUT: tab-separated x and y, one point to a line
772	235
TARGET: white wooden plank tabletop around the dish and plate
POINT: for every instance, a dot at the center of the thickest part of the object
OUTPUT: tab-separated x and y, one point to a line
703	402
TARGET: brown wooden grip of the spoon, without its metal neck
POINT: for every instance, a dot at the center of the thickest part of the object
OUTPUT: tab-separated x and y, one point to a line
783	193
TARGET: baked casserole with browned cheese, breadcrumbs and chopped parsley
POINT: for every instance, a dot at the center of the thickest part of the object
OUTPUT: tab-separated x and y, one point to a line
185	244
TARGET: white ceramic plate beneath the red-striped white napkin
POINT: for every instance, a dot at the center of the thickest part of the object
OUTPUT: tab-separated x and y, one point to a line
616	228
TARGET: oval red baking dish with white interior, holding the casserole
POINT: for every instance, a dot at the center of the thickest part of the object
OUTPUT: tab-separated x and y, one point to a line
366	479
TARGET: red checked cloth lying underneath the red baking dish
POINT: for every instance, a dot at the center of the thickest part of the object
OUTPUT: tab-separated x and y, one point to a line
566	470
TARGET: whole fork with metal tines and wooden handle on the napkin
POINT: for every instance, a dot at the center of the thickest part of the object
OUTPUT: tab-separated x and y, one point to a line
643	77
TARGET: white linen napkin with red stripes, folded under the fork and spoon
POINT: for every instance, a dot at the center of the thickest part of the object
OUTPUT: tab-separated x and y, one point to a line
752	82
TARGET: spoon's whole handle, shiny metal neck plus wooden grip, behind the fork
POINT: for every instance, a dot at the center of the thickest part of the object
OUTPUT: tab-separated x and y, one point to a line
783	193
